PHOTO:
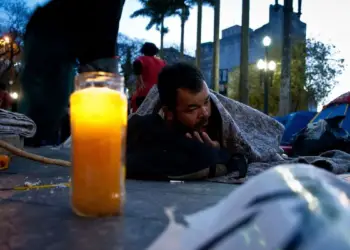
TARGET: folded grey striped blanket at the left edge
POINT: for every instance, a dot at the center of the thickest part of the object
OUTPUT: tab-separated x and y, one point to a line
16	123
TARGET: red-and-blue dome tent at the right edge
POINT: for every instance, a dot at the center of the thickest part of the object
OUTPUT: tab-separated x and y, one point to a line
337	107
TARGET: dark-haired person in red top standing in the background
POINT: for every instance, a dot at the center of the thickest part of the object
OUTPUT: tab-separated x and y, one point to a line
146	68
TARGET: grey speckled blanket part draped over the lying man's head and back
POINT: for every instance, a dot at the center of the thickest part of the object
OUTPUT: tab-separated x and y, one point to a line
244	130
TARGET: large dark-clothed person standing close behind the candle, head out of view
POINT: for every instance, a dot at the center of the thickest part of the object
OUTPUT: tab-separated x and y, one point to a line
58	35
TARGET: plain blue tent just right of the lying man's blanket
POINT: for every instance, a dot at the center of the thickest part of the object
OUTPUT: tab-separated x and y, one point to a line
293	123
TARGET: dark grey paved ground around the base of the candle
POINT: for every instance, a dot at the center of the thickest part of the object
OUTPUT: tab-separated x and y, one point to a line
42	219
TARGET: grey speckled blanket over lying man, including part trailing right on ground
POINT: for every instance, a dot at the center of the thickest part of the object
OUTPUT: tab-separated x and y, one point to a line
249	131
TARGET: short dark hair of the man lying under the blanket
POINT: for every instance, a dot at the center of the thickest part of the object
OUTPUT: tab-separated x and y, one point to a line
176	76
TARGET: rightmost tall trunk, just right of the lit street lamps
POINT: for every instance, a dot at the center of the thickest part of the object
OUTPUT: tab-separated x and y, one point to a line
285	89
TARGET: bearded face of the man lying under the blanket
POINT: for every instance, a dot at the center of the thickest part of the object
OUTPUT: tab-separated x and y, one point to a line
192	109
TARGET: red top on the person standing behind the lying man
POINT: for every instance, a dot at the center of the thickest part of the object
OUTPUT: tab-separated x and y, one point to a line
151	66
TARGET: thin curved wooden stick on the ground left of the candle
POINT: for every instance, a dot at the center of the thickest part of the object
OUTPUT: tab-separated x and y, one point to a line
19	152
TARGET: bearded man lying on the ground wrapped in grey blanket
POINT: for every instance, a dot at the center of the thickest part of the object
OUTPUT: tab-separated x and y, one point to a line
183	130
